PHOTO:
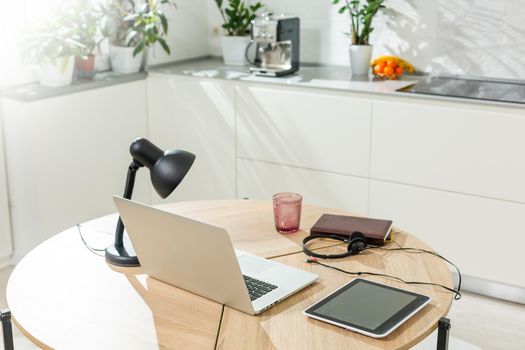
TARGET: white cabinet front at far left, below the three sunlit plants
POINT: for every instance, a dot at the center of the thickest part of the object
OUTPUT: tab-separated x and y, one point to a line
67	156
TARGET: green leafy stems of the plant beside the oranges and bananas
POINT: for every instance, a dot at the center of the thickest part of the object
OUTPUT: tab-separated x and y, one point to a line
362	14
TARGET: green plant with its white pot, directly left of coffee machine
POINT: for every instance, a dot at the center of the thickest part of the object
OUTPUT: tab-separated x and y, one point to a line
237	19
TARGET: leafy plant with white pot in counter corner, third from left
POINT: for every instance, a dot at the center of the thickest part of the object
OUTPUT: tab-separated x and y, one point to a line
131	28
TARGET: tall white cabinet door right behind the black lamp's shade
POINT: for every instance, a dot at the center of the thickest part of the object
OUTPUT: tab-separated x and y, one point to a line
196	115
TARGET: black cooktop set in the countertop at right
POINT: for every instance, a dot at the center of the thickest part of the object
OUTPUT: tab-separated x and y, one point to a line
473	89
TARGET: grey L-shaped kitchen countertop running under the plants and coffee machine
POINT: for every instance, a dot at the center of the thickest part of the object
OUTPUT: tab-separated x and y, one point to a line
338	78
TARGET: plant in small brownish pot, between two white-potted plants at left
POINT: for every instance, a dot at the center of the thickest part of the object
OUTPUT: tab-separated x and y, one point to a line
86	23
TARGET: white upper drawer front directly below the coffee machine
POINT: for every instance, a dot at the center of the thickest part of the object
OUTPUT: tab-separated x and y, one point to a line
304	128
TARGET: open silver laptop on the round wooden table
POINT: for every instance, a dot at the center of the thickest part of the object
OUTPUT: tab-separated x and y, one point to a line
200	258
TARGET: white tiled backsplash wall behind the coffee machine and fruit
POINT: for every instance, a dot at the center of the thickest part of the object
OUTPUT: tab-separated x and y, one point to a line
472	37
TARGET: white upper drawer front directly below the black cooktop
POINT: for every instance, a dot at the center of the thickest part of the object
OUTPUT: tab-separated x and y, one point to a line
458	147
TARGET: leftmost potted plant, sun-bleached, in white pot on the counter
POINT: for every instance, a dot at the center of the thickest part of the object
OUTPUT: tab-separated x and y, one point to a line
53	46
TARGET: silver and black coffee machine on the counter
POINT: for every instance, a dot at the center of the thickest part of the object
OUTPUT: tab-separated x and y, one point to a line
276	41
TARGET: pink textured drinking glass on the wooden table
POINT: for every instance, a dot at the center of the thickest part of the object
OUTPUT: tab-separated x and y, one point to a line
287	211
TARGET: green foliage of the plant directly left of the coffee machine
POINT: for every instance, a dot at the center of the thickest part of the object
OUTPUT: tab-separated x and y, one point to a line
238	16
